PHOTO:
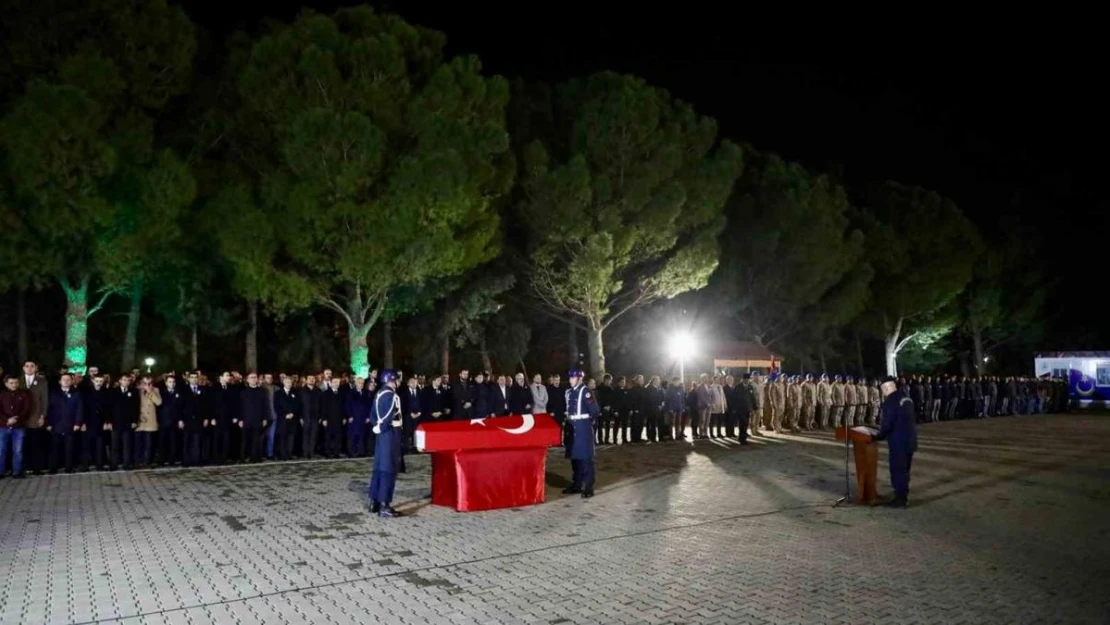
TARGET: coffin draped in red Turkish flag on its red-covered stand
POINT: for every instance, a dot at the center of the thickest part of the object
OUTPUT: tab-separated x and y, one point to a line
489	463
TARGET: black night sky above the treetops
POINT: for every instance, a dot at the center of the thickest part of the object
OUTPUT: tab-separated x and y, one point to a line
1005	127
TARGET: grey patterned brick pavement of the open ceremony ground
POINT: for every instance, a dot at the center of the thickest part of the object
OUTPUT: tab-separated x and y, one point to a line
1010	523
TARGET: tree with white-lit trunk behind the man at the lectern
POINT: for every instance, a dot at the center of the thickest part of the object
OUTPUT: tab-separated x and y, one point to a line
922	248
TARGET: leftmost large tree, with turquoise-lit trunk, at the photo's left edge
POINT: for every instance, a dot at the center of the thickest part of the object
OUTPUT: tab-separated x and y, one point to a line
82	156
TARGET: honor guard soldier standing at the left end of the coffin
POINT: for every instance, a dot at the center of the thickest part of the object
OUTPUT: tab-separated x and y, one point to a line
388	431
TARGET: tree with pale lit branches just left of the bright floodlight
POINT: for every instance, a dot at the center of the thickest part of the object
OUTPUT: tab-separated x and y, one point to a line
622	201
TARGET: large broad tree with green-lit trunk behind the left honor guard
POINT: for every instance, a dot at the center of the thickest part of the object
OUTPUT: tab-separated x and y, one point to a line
384	160
